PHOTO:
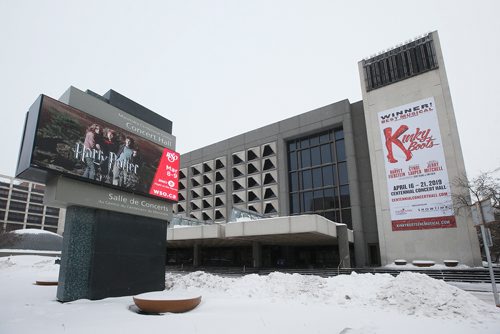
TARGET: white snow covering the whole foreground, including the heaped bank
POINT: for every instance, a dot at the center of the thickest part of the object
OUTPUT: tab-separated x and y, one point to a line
277	303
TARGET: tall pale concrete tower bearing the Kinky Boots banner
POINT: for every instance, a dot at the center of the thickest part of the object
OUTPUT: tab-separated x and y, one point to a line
415	155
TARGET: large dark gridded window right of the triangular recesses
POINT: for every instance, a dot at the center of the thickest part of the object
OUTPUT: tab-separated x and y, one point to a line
318	176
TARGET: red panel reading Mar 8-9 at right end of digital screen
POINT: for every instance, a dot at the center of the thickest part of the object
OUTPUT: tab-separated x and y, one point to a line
166	181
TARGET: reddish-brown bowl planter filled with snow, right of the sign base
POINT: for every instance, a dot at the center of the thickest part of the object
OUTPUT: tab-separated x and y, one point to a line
162	302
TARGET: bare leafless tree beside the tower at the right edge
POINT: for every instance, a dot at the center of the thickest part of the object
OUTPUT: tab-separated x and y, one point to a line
485	186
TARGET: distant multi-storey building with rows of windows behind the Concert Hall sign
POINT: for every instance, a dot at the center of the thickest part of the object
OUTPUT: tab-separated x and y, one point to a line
21	207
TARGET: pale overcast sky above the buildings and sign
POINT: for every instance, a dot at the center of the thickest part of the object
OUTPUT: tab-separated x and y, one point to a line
209	65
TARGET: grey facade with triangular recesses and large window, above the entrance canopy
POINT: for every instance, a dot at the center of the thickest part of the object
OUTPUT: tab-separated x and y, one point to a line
252	172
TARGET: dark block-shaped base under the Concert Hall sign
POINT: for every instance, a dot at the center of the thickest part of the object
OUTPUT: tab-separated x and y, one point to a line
110	254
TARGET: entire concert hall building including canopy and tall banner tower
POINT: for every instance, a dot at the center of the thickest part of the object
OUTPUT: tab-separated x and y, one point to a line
352	183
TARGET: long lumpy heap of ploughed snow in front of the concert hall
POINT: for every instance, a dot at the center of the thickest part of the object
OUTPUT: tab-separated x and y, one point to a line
408	293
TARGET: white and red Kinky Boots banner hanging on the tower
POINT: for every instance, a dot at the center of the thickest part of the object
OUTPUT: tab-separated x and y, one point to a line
417	180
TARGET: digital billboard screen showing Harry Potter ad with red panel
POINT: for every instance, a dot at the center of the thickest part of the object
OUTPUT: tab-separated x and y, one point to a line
71	142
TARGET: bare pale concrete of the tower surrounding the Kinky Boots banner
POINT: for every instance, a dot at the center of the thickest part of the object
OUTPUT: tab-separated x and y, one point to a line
458	243
